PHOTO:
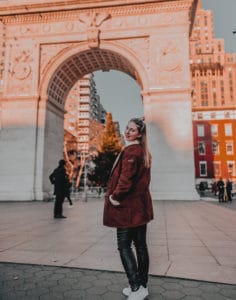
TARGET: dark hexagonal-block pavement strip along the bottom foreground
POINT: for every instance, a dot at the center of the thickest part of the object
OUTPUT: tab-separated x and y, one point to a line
37	282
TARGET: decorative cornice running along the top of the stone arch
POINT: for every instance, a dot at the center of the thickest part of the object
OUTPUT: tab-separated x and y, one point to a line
147	8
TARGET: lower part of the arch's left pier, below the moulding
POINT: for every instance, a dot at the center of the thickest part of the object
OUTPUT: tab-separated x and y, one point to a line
17	148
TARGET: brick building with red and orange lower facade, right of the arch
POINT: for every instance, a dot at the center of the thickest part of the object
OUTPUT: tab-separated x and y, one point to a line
213	75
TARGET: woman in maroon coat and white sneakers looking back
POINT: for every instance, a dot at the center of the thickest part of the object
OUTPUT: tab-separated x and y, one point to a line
128	207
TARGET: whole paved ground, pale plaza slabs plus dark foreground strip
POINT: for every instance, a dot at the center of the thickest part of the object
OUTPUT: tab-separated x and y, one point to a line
192	251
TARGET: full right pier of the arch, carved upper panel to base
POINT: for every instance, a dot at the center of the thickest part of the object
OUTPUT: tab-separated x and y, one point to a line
167	108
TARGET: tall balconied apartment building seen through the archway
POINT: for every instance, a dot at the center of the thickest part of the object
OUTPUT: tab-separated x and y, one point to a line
85	115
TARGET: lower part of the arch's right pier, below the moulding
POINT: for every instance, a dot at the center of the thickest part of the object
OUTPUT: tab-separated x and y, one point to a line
169	123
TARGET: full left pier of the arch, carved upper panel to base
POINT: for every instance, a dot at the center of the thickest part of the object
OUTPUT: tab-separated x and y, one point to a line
19	114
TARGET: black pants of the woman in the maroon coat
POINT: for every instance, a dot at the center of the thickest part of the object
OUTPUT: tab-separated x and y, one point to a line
136	269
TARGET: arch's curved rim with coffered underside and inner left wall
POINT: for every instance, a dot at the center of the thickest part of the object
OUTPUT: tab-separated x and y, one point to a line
59	77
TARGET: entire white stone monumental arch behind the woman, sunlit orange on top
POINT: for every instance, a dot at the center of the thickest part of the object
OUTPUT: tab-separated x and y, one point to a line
150	39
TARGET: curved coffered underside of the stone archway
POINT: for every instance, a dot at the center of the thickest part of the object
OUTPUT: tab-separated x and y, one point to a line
80	64
